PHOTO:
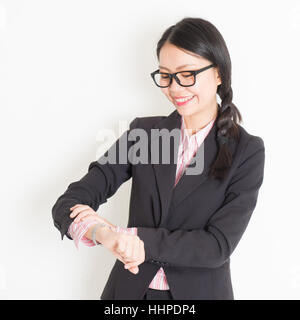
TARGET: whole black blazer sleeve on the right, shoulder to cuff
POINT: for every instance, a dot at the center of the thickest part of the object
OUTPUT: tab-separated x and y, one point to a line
211	246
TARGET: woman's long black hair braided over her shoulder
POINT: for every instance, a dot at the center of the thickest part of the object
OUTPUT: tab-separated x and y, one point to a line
202	38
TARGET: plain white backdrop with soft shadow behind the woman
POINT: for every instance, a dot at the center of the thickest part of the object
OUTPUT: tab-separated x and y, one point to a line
69	69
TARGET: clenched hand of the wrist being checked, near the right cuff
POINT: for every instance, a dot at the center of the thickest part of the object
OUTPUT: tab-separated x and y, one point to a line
127	248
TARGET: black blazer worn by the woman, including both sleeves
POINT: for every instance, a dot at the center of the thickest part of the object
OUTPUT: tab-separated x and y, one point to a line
190	230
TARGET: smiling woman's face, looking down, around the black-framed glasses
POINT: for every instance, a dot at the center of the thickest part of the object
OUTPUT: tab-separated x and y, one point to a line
171	58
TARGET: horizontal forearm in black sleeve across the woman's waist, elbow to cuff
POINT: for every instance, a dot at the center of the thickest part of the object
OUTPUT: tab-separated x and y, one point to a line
185	248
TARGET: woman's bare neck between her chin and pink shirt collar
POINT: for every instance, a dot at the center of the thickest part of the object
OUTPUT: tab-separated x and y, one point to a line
199	120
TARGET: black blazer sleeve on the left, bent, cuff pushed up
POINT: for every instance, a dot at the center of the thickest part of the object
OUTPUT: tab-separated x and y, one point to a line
93	189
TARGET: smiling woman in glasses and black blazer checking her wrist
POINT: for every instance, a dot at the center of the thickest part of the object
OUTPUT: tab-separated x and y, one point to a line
183	226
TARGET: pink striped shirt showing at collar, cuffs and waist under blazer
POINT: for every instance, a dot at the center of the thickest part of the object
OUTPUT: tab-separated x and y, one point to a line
187	147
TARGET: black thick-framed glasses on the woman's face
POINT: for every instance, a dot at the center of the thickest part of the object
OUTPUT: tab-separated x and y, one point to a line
183	78
